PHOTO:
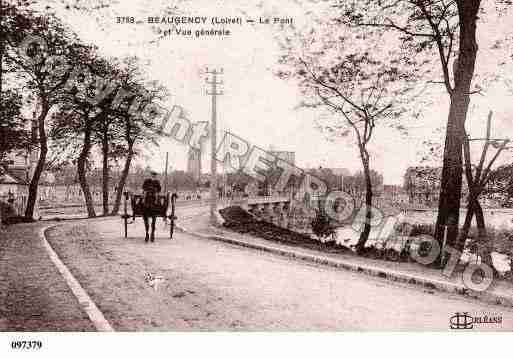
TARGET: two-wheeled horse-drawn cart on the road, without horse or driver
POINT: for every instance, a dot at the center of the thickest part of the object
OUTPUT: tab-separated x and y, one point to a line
158	209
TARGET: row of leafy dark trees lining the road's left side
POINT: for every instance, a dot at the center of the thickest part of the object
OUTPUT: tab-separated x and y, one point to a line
80	100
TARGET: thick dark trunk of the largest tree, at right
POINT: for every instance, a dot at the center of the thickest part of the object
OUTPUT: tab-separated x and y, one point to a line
451	182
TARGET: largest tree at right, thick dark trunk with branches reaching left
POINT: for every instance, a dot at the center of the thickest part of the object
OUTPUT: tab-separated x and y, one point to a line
440	29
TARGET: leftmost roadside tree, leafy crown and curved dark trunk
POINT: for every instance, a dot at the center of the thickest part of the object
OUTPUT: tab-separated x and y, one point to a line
42	71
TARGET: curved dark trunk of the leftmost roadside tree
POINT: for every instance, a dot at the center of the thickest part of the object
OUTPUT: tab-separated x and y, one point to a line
43	150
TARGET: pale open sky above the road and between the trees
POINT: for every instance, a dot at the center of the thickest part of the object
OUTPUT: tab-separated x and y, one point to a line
257	105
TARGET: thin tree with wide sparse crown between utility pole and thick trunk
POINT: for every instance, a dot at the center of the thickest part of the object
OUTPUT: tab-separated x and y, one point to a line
344	76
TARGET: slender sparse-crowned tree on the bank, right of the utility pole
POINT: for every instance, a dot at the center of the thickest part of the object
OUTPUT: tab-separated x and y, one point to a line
359	93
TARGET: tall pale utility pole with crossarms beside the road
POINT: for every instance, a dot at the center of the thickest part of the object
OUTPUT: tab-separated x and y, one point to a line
213	140
